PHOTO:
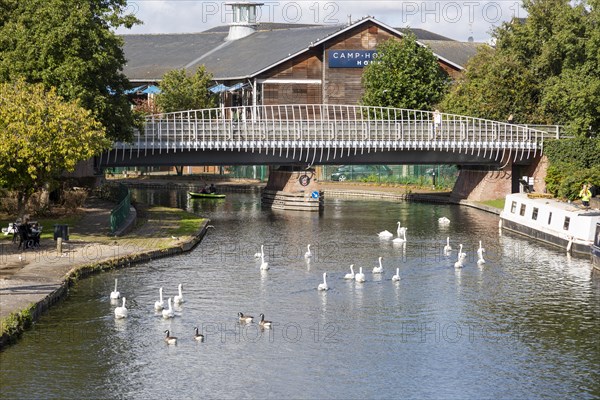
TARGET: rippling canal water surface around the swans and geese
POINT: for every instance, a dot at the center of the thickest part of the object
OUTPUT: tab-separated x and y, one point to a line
523	325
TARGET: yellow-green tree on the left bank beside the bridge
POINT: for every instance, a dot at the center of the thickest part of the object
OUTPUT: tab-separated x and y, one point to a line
41	136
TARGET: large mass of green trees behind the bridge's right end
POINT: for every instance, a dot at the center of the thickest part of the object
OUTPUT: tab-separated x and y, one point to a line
544	69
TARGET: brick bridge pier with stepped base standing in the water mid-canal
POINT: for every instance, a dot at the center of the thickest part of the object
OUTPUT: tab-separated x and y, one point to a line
292	189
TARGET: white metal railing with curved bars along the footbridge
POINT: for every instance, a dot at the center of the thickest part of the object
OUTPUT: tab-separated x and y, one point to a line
295	131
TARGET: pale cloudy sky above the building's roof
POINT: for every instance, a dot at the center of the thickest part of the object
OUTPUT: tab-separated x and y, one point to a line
456	19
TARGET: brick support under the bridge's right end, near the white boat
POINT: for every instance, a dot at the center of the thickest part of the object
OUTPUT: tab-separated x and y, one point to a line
481	184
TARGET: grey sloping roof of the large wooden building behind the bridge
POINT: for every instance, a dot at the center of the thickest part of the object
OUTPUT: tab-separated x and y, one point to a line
150	56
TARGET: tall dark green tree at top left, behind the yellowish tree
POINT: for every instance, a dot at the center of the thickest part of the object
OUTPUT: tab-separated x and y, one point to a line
70	45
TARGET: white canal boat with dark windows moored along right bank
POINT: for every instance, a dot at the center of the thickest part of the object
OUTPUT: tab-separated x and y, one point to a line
558	223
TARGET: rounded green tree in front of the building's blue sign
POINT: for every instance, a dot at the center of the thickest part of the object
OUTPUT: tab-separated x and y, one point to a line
407	76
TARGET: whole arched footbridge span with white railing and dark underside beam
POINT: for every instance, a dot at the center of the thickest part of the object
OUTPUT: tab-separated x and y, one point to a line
325	134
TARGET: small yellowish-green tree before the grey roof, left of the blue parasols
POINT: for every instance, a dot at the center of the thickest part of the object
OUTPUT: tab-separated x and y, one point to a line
180	91
